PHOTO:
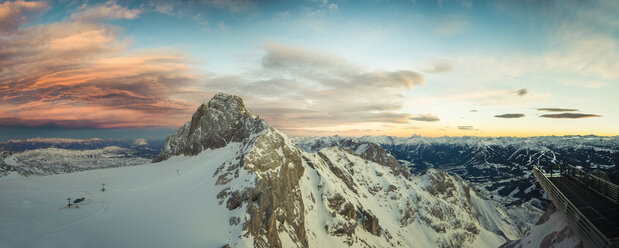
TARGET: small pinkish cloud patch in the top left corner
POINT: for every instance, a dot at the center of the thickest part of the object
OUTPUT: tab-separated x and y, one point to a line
13	14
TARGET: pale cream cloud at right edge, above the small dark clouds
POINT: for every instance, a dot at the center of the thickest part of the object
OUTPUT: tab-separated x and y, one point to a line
580	55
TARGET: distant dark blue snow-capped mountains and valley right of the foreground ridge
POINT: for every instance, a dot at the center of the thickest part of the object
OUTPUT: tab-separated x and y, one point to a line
500	167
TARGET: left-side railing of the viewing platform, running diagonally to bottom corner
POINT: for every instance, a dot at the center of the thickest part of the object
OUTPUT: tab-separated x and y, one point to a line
590	235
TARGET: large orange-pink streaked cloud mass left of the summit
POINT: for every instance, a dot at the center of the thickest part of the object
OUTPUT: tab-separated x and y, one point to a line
78	73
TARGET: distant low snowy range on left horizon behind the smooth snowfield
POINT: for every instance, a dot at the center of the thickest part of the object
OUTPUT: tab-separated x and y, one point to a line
48	156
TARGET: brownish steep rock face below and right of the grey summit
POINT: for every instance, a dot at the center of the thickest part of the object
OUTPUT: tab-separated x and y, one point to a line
279	200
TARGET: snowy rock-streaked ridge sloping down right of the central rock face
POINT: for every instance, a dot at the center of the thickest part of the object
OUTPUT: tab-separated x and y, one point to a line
360	203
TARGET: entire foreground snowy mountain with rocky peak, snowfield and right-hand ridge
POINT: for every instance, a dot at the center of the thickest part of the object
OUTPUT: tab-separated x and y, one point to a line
228	178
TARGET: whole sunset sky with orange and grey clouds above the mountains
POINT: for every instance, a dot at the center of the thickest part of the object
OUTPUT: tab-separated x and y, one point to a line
311	68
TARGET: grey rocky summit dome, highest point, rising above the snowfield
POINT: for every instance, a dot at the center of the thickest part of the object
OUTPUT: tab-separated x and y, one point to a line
224	119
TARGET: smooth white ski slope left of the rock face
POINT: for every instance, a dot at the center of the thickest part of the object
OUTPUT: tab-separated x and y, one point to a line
144	206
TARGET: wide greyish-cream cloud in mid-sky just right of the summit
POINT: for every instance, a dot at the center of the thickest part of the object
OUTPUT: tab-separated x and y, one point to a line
327	91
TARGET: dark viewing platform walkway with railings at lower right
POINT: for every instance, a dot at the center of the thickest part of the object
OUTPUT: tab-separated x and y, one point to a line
589	203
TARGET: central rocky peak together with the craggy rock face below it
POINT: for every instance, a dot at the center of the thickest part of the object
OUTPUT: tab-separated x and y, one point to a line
262	178
